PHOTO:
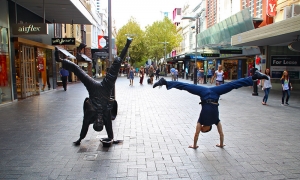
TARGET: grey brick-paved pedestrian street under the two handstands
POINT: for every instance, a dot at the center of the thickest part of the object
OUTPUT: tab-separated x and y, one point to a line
262	142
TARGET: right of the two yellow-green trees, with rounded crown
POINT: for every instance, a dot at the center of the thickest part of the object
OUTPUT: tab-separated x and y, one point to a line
157	34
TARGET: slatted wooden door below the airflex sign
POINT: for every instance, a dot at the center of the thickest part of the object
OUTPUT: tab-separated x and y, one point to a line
28	74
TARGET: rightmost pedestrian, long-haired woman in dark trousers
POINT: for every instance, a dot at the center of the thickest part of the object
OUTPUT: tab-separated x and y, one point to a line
286	88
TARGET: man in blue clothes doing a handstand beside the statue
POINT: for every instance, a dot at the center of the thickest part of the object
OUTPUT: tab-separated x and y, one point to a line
209	96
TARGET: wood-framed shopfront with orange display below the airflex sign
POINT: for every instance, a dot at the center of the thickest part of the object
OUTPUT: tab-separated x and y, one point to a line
33	67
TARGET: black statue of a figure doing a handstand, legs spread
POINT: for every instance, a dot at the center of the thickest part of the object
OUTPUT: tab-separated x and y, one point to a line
97	107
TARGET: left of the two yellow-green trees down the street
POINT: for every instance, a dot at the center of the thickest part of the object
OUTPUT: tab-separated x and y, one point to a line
137	50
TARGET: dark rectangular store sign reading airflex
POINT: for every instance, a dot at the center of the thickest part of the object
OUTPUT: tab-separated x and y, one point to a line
29	29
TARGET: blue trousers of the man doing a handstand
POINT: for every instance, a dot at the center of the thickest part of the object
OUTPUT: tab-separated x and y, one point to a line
210	92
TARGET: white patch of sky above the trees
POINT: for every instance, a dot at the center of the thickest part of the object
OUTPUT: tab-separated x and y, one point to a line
144	11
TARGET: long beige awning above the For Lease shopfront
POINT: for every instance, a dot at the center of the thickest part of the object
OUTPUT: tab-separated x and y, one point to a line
280	33
